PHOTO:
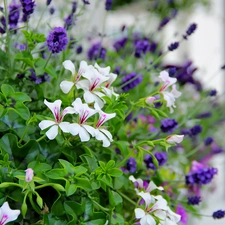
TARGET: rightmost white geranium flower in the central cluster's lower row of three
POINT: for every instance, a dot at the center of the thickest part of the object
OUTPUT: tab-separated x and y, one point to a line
102	134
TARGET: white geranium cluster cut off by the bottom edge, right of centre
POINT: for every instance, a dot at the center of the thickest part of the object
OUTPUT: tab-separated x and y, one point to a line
156	207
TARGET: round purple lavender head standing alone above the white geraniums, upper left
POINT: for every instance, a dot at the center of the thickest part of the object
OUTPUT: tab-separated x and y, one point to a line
57	40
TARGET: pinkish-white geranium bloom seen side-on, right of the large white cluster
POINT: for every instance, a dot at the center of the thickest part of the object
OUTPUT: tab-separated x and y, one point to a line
170	97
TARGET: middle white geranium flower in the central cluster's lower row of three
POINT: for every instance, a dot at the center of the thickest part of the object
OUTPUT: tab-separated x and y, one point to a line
81	128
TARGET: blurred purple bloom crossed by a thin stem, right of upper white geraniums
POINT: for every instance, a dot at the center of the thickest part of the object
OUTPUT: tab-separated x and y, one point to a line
132	83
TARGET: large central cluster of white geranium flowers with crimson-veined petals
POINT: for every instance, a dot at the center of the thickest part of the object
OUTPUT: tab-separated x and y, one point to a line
97	84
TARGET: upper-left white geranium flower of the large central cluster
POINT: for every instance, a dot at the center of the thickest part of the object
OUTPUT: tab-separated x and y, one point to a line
68	65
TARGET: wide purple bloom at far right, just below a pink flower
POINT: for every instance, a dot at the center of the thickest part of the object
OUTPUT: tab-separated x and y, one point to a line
200	176
